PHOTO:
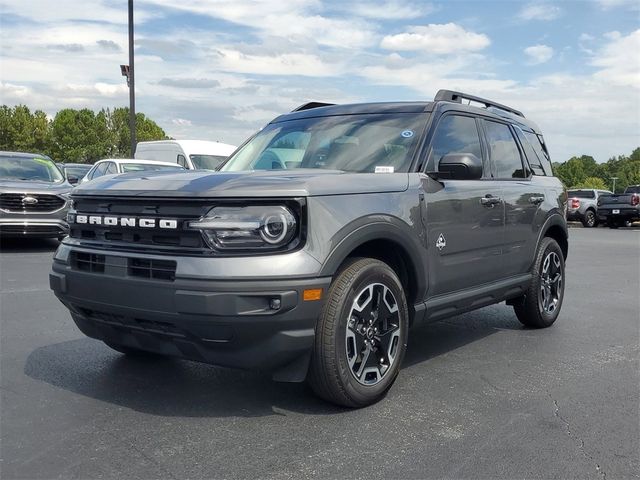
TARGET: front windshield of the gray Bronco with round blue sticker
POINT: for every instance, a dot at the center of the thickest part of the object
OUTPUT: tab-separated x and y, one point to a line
375	143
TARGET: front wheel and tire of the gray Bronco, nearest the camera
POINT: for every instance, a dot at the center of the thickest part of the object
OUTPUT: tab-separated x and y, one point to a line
358	352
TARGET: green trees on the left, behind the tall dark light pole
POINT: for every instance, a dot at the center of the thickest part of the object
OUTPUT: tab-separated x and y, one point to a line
77	136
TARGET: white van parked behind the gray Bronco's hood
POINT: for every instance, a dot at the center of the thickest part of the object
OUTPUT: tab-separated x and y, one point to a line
191	154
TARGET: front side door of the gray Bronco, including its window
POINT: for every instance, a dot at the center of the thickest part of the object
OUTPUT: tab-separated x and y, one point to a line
464	219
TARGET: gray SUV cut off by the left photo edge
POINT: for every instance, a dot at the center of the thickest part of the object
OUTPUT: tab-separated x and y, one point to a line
34	196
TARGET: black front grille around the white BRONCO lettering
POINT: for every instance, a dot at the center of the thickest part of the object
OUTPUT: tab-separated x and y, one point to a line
136	238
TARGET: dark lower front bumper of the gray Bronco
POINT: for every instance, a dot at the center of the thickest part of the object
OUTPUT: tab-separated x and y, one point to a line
222	322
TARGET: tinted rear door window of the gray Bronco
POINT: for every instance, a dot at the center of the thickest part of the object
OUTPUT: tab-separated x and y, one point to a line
504	152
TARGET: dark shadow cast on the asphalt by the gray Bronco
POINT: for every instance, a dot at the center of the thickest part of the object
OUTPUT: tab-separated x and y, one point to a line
172	387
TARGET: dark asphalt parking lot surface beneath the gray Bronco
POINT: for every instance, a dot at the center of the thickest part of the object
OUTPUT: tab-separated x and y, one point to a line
479	396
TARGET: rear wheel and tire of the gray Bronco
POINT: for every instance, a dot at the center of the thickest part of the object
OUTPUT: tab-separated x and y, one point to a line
541	304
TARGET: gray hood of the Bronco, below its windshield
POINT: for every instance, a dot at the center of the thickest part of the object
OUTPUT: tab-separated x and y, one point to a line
283	183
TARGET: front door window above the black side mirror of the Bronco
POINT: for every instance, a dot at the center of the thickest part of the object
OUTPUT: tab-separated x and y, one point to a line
454	134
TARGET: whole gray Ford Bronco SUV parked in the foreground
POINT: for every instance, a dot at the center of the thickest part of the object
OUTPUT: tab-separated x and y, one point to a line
321	241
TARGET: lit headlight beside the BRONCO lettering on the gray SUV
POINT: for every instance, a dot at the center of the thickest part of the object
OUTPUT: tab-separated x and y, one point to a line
268	227
